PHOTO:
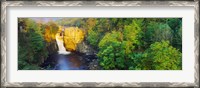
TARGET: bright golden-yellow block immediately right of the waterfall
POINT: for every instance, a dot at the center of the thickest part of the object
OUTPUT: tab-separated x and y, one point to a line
72	36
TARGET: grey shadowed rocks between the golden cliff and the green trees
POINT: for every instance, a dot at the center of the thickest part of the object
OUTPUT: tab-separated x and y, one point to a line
85	48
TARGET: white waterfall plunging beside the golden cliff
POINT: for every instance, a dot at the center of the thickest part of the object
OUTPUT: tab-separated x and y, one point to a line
60	43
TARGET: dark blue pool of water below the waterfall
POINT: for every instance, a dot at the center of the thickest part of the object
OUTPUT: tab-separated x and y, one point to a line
72	61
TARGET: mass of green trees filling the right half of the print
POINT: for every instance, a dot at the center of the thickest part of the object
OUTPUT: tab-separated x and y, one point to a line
126	49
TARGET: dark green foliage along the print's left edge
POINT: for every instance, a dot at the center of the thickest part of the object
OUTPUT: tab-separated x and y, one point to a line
31	45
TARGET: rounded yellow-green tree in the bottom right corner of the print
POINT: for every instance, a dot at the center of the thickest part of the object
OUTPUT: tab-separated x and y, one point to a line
162	56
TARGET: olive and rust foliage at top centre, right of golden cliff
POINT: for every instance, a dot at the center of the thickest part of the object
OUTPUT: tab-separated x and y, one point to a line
97	28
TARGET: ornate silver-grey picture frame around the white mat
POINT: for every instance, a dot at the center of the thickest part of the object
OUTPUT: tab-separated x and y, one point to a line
5	4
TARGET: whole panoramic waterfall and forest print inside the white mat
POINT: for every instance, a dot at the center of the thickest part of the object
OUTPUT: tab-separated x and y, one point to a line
64	43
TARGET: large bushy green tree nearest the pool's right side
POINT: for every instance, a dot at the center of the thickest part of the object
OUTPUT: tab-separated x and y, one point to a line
110	51
